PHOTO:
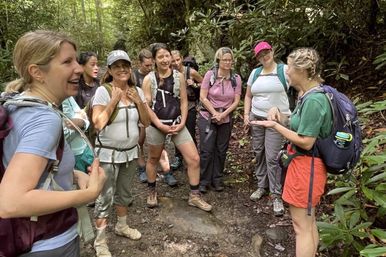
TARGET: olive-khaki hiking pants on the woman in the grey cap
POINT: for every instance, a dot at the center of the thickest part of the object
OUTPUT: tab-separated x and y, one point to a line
117	188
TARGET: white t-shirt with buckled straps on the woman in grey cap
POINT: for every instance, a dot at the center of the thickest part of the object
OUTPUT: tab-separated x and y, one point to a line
122	133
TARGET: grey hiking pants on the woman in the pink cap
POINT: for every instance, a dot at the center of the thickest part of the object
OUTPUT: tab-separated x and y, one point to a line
266	144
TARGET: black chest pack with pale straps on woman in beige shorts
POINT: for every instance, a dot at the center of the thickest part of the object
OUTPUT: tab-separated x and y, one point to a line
166	105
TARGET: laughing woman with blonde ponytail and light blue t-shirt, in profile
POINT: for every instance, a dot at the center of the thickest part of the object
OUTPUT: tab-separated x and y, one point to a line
49	73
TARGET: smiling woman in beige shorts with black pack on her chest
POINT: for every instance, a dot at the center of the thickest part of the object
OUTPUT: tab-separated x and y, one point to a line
165	93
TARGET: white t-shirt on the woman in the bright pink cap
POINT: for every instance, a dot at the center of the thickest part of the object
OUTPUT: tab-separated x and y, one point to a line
267	92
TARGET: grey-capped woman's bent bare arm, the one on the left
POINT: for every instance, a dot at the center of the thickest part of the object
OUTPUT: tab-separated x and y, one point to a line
102	113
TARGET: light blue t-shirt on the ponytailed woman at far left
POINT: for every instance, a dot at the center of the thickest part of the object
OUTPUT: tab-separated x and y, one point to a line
37	130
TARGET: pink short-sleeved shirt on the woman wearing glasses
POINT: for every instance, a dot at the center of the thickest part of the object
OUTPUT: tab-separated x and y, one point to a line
221	94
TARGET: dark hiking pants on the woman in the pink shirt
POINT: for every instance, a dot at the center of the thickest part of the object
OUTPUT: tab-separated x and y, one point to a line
213	147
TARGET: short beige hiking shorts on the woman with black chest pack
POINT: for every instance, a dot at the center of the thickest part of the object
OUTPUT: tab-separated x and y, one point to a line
155	137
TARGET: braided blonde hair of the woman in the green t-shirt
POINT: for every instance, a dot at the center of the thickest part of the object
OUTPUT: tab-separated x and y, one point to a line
308	59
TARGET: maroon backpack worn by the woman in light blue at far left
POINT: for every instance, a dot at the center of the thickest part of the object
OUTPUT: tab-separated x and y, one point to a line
17	235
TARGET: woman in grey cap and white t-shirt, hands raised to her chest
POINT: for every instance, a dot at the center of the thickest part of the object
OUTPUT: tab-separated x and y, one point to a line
118	107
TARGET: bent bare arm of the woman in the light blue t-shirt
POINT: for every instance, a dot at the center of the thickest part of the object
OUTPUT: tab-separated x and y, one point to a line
19	198
